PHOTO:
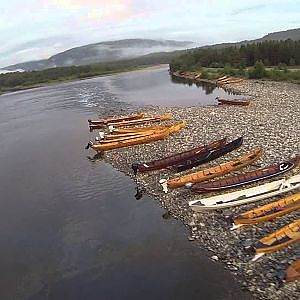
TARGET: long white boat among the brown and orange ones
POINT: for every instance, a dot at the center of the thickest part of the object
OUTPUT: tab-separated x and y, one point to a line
247	195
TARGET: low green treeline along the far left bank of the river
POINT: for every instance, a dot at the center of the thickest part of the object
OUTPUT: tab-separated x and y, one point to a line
19	80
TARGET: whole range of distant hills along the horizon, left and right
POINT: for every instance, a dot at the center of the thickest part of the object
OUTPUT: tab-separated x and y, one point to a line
140	50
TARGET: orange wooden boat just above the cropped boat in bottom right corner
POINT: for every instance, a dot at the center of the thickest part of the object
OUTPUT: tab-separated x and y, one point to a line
277	240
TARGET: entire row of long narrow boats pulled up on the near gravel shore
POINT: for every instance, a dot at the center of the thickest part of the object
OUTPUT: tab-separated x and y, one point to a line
121	133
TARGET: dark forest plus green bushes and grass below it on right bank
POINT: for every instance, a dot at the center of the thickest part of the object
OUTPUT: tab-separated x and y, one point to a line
282	59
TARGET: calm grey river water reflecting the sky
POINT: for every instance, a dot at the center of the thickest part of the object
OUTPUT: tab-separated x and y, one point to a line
70	226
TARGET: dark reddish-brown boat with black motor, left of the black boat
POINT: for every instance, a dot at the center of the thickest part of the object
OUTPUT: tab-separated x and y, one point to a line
169	161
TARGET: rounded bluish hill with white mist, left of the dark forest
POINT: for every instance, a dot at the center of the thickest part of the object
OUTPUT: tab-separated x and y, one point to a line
109	51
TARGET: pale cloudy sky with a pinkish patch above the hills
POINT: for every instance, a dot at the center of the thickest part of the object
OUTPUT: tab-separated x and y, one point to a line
37	29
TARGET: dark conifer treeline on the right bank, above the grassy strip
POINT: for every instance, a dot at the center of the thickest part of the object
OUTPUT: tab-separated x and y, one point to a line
271	53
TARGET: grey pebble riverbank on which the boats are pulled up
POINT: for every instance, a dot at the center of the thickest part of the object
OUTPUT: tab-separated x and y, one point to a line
271	122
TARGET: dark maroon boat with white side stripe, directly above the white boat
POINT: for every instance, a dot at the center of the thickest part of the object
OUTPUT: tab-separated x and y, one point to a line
246	178
